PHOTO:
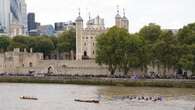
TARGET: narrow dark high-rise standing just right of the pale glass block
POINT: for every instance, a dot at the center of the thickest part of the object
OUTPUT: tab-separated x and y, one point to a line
31	21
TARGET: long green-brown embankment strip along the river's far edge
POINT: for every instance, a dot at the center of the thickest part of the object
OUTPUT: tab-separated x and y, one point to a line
102	81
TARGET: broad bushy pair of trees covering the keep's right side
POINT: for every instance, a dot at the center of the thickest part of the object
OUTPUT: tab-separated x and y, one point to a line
120	50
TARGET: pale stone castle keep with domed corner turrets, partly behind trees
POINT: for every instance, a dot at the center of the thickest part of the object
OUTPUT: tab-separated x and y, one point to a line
86	37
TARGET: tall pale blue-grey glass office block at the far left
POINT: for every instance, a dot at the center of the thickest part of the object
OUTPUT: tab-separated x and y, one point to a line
12	13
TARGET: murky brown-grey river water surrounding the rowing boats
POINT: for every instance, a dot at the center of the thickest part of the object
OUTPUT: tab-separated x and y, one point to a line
61	97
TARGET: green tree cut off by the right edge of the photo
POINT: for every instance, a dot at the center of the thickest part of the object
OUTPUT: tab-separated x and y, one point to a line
186	38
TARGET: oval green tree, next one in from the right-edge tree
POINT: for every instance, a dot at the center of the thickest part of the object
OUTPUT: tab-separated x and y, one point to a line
166	51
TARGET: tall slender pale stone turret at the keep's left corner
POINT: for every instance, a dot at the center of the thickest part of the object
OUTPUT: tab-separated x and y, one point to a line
79	28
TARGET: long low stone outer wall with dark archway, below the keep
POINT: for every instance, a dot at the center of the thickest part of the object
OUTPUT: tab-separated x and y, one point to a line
68	67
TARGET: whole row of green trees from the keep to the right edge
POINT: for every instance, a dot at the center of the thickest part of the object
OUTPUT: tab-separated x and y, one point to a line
120	50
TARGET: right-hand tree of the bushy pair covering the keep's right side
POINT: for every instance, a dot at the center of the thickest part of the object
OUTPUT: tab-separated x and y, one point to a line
134	54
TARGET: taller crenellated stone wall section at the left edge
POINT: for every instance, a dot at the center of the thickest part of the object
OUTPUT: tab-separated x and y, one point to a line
14	60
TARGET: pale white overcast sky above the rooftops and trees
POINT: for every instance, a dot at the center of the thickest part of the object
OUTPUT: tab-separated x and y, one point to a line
172	14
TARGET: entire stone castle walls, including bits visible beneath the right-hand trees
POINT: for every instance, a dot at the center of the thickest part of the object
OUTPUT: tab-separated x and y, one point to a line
24	62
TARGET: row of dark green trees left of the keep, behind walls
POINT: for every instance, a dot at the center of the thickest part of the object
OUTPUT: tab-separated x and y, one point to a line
63	43
